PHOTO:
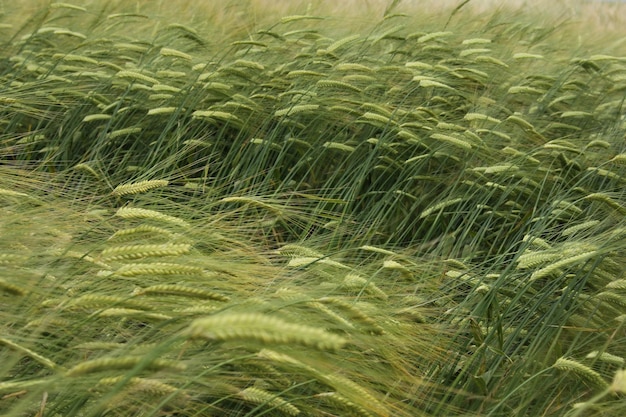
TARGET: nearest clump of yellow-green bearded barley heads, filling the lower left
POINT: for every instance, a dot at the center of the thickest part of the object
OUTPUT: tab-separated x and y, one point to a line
146	307
